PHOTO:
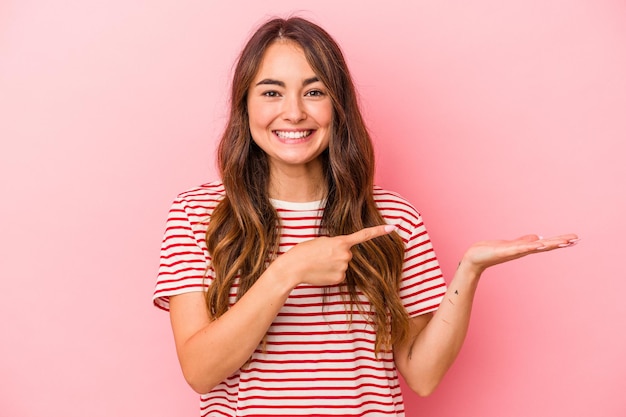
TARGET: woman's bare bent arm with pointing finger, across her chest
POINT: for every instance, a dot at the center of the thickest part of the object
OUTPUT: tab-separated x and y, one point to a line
210	351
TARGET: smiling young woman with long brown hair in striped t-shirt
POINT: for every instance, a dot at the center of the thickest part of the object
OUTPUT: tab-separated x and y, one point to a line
294	285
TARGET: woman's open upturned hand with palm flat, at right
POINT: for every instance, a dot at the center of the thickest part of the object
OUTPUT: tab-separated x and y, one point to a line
482	255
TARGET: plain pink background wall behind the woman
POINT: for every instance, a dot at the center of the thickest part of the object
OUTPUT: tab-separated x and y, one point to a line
495	118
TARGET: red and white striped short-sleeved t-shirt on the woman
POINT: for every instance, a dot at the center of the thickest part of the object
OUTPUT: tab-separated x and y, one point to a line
317	360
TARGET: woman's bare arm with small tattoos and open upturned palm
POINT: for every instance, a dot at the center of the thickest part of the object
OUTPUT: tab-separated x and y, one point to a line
436	339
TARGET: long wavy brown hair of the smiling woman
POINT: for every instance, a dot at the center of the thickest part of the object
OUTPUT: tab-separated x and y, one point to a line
243	233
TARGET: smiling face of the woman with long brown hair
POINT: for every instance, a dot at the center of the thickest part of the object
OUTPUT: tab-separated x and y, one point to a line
289	110
